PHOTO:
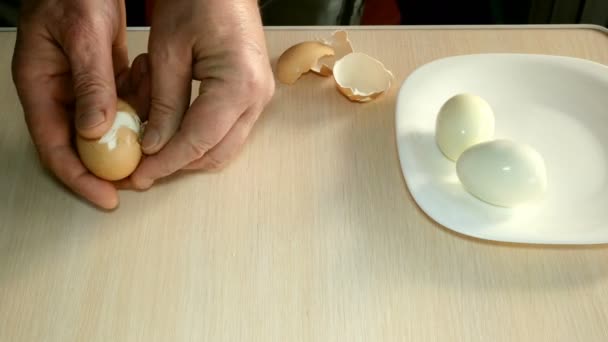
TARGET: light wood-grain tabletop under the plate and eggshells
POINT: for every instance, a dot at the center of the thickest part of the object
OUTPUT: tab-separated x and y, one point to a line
309	235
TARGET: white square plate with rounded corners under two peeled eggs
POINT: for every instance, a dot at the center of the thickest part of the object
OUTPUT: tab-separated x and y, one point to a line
558	105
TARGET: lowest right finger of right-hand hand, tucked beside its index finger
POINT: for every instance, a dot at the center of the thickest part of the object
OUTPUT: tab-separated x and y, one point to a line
227	149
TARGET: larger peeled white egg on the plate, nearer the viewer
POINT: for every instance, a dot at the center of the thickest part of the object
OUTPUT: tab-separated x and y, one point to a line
503	173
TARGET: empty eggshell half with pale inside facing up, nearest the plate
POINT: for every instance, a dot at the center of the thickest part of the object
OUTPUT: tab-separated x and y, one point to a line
360	77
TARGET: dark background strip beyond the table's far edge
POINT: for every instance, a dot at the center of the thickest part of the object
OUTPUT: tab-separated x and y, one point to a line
391	12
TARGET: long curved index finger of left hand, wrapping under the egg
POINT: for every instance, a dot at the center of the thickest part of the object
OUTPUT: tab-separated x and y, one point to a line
42	80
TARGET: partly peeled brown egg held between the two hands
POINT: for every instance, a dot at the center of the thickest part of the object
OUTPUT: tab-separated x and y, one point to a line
116	154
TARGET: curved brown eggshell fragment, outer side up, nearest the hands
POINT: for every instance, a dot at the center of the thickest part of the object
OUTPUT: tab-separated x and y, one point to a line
300	59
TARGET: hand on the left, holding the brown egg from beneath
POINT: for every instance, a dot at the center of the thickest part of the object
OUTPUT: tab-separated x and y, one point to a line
68	57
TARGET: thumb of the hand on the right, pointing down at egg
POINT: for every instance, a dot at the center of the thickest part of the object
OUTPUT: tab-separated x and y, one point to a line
171	80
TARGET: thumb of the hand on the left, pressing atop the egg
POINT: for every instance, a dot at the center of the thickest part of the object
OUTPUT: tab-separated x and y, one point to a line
90	57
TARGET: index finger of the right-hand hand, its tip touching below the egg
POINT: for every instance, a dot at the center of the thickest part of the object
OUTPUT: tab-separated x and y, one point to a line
206	123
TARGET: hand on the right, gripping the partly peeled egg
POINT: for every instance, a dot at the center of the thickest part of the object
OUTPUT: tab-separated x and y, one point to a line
222	44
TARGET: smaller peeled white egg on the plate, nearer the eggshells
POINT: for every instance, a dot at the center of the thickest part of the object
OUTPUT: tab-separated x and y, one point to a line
463	121
